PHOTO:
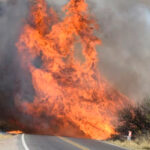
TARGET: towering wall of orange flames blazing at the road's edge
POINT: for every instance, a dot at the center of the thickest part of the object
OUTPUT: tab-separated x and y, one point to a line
71	97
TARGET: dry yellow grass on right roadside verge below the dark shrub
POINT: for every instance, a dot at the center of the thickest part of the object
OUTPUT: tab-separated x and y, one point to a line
138	144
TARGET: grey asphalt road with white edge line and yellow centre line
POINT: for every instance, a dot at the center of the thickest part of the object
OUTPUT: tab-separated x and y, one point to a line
38	142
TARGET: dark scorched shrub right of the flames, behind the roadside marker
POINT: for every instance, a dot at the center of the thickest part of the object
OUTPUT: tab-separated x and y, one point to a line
135	118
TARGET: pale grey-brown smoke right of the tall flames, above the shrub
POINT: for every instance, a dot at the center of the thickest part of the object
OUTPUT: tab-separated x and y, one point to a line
124	55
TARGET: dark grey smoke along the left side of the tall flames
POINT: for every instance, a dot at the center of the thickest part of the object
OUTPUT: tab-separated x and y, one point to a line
12	14
